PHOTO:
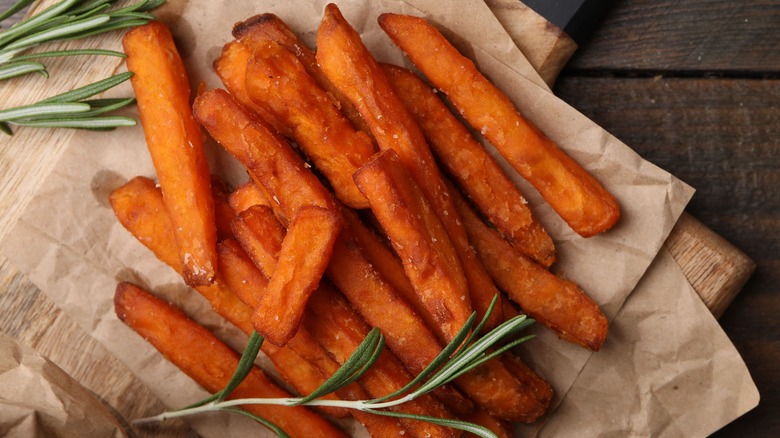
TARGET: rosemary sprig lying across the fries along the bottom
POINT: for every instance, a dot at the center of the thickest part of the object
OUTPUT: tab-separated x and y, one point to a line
465	352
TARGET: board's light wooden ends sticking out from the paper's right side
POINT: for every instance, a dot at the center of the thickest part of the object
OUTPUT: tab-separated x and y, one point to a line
714	267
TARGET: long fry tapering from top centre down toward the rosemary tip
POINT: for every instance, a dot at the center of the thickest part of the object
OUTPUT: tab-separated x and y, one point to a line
349	65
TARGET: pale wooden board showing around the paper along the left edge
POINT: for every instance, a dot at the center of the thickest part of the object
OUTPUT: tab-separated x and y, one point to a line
26	159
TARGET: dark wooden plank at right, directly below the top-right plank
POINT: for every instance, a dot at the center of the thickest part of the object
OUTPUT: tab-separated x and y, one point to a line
719	135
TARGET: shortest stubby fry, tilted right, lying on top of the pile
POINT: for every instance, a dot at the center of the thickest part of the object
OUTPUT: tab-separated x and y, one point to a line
304	255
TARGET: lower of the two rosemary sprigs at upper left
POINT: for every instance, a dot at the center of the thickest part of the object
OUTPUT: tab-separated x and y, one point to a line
72	109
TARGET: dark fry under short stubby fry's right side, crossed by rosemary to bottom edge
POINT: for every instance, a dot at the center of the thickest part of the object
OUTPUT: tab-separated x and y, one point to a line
335	325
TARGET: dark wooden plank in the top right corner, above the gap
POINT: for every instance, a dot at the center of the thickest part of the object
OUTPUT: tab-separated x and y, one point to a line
693	36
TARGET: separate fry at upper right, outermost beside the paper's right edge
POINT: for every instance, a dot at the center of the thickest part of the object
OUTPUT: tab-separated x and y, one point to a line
576	195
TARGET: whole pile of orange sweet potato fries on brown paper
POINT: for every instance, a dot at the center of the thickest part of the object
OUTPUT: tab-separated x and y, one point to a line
380	236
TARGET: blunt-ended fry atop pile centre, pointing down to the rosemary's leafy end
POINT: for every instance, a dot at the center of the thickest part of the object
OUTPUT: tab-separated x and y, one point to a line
419	238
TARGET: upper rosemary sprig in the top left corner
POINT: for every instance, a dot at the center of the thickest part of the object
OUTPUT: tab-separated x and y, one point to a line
64	20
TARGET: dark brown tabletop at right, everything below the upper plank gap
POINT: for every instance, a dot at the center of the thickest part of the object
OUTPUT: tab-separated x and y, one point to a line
719	135
